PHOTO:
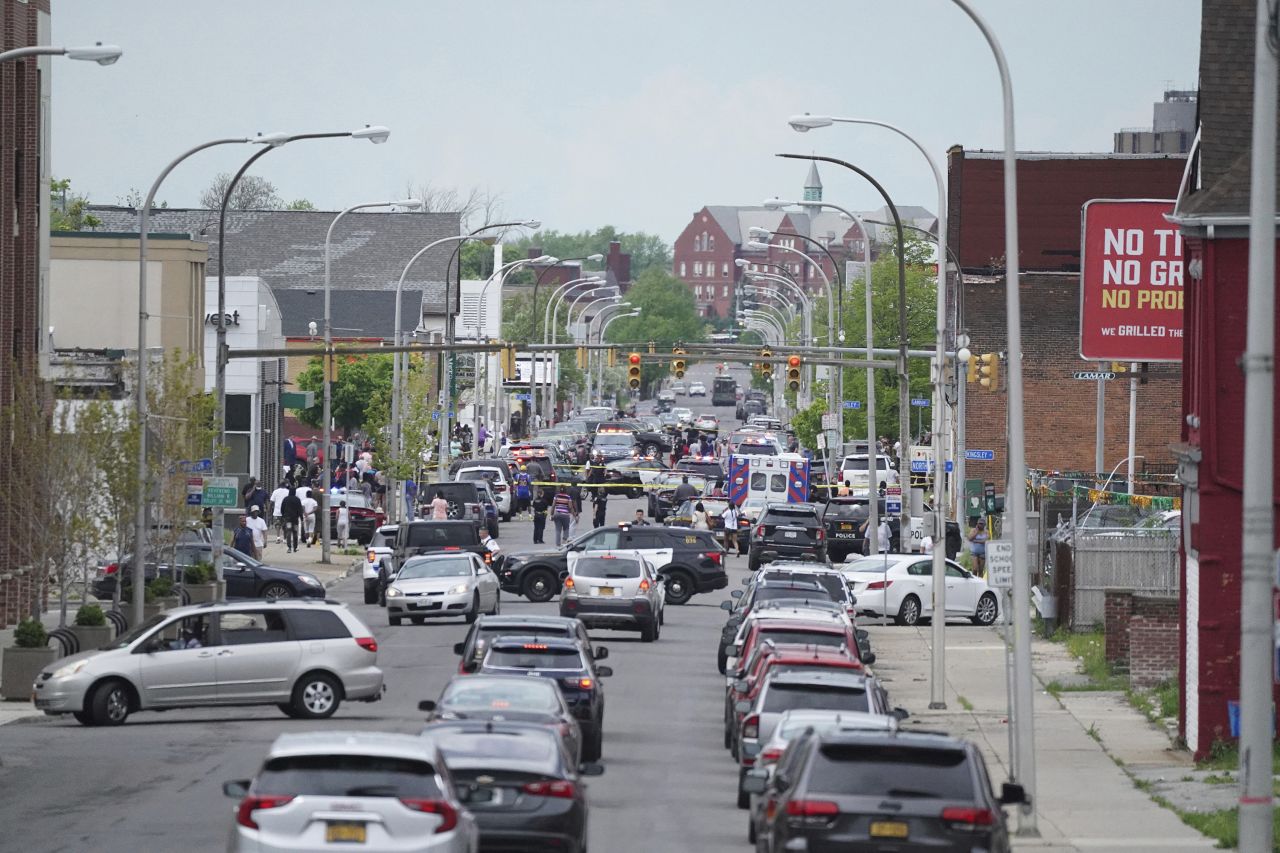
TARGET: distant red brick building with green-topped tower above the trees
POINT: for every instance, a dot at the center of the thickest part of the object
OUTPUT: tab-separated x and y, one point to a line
706	252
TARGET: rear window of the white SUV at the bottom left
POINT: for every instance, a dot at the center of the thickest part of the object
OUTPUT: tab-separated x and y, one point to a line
349	776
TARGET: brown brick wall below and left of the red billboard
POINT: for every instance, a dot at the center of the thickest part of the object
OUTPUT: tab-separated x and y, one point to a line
1060	412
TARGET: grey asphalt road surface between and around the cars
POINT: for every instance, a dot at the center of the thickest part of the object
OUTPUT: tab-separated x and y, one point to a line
156	784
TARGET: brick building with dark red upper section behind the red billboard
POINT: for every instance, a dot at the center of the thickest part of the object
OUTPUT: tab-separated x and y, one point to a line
1060	413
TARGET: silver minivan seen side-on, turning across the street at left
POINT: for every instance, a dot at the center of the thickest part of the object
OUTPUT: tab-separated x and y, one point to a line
304	656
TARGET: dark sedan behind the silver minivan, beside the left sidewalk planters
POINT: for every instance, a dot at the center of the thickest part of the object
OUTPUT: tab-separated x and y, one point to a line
245	577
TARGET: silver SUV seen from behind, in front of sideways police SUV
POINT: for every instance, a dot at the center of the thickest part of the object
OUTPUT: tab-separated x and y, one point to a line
615	591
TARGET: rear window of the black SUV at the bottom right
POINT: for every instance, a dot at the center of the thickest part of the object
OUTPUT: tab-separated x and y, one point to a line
880	770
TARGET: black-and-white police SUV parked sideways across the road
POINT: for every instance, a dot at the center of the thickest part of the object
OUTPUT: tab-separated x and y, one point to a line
692	562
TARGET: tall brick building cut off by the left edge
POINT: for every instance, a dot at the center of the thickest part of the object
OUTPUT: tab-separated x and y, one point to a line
24	190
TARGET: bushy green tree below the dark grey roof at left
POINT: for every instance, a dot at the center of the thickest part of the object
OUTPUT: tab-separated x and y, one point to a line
363	389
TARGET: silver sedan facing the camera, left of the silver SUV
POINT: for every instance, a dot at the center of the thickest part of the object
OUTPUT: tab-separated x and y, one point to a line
444	585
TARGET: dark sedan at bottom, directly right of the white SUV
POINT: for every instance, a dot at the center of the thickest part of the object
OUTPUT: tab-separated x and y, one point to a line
519	782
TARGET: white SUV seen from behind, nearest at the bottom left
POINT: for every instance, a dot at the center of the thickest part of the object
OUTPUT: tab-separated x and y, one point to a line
351	790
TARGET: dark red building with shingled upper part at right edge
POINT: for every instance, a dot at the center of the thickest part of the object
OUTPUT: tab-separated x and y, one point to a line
1214	221
